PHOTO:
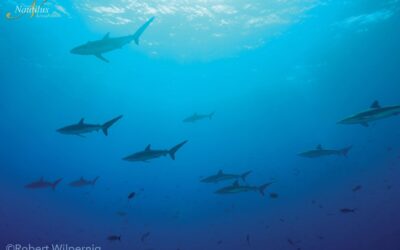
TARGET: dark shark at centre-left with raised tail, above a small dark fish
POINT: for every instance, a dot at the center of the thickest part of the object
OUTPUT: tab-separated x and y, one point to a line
148	153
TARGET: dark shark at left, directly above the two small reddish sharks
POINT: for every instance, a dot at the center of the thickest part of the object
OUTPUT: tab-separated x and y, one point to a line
82	128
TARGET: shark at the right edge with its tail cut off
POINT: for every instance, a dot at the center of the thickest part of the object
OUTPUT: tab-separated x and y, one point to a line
374	113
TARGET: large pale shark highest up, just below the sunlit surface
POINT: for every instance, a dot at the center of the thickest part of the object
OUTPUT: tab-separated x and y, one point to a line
99	47
